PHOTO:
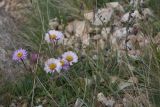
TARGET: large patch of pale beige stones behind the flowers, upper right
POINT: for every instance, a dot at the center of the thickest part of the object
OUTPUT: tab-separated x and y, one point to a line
109	27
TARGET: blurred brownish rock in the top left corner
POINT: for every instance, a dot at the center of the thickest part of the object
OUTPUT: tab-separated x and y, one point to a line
18	10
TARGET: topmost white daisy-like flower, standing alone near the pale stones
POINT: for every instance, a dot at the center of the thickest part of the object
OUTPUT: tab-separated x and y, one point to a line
53	36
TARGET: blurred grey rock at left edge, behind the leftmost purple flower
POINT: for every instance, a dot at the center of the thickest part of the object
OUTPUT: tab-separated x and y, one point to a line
8	42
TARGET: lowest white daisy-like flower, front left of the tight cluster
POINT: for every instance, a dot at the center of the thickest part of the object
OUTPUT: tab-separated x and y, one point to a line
52	65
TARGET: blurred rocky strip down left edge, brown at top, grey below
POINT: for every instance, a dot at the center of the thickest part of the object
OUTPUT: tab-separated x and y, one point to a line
10	13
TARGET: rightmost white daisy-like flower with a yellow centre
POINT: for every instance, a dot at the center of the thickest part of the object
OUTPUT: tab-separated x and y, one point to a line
70	57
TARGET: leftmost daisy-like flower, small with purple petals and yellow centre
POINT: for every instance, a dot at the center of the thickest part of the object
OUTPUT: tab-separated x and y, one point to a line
19	55
